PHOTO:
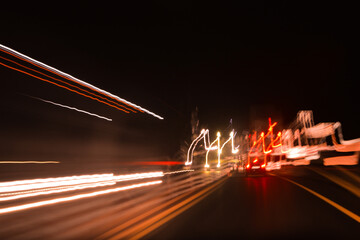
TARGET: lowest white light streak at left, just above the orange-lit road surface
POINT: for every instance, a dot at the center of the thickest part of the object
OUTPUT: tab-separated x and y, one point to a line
75	197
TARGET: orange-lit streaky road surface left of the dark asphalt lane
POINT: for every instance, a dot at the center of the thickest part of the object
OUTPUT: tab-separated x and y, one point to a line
101	212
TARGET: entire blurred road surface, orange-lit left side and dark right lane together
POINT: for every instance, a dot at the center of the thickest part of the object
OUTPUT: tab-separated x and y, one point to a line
198	204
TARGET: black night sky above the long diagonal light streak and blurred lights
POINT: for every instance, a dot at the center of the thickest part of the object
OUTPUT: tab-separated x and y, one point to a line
248	60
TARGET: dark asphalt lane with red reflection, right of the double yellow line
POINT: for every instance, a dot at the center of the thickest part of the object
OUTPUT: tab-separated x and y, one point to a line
272	207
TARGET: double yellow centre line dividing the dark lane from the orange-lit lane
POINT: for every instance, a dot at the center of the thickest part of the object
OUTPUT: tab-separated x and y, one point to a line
151	224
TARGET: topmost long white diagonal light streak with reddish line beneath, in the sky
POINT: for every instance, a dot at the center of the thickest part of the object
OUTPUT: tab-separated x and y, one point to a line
68	76
